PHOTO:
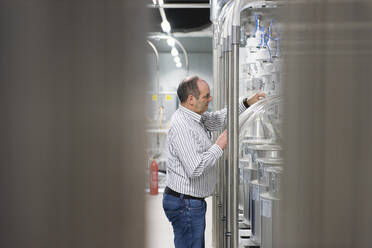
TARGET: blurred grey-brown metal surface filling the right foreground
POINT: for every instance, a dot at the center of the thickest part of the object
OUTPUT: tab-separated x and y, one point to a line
328	137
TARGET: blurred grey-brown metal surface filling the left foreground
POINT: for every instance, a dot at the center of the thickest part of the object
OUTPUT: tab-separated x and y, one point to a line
72	115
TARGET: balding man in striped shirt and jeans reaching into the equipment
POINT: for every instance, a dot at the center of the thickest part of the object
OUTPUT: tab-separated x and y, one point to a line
191	172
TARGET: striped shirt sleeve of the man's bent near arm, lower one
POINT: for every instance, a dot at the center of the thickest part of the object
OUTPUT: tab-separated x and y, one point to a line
189	150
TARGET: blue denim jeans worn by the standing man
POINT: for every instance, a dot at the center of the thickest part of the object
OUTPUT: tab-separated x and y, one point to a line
188	220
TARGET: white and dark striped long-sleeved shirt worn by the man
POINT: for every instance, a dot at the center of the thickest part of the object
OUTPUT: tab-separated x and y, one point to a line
191	154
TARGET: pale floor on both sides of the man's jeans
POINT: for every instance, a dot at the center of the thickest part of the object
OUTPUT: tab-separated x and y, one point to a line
159	233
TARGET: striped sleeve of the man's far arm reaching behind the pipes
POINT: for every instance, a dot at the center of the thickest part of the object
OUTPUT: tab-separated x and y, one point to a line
216	120
